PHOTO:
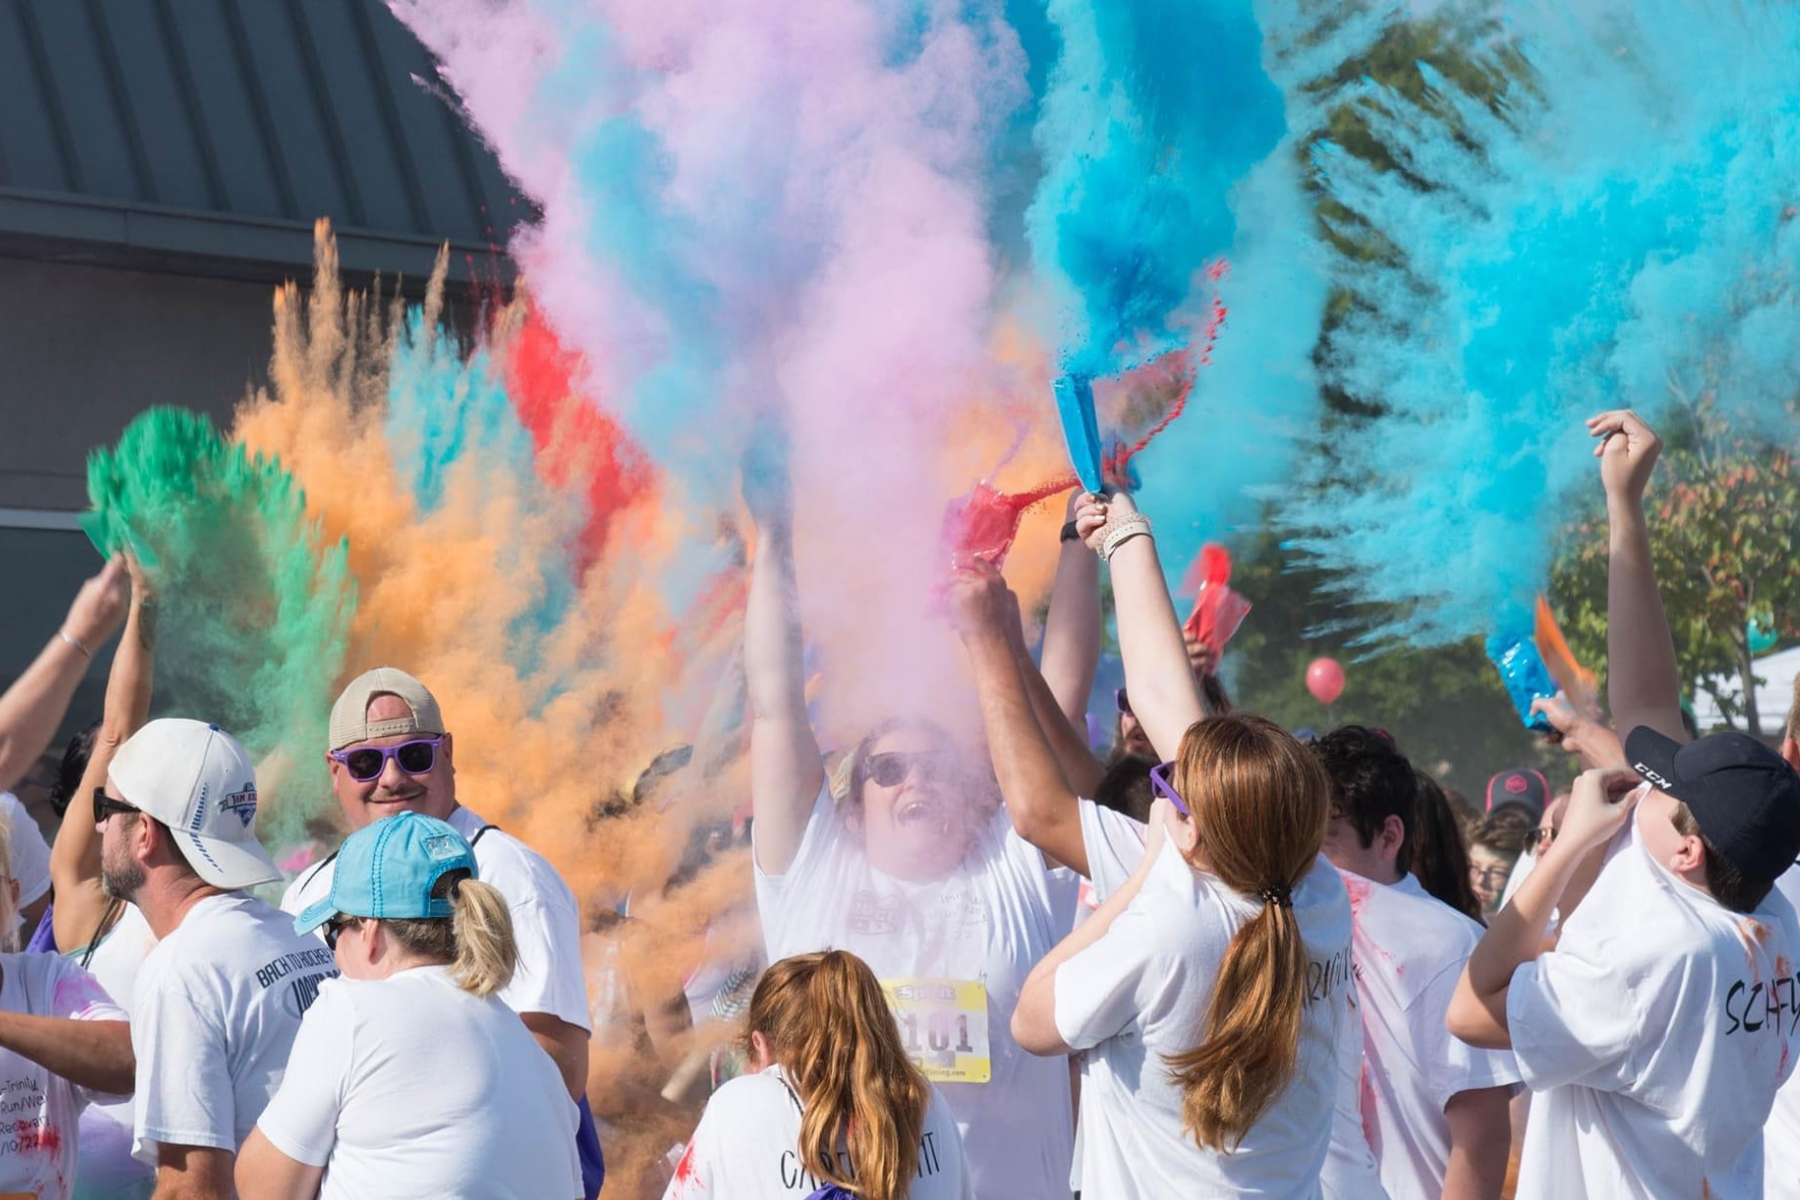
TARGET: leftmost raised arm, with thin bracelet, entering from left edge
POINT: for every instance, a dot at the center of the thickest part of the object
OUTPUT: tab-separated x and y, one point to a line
35	704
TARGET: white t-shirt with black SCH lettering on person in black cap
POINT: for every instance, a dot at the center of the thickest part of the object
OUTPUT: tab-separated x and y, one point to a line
1653	1037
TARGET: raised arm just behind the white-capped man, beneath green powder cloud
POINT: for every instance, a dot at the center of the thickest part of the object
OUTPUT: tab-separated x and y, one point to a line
76	855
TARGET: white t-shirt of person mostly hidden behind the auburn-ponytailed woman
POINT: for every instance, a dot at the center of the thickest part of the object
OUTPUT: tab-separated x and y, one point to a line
1115	848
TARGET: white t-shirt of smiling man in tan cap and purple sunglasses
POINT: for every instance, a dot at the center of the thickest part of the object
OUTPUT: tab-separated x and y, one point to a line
546	922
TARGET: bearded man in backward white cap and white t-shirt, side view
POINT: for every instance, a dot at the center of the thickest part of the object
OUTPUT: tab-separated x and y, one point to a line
222	996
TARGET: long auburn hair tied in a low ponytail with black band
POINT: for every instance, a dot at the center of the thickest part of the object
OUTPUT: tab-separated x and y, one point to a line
1261	803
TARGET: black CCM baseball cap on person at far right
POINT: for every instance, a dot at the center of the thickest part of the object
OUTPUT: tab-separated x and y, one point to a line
1743	794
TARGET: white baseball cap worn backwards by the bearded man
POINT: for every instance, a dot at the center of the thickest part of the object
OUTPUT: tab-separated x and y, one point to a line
201	784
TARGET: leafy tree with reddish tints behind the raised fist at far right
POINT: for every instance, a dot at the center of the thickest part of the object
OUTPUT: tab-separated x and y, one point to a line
1723	517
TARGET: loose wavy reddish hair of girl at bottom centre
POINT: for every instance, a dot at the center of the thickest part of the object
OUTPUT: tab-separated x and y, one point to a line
829	1025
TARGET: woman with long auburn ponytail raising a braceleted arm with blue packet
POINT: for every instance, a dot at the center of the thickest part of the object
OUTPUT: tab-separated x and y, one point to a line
1210	989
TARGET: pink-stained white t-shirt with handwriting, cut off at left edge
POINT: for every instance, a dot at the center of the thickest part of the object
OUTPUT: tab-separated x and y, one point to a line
40	1111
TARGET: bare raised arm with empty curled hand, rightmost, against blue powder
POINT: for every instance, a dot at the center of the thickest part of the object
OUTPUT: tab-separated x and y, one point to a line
1644	686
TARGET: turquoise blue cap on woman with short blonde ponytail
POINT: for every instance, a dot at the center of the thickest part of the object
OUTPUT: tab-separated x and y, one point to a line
390	870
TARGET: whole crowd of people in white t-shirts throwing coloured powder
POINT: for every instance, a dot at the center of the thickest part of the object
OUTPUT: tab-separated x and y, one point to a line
1219	960
